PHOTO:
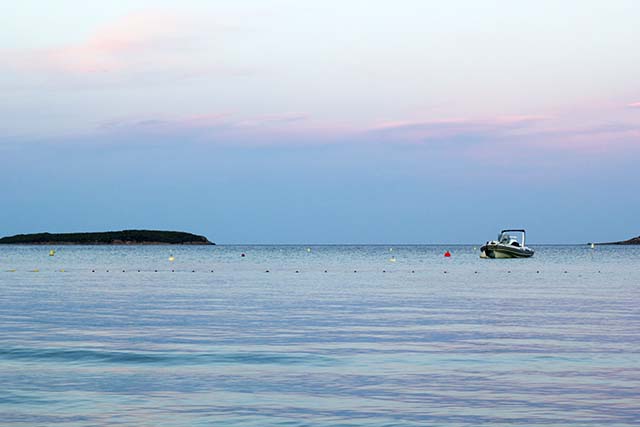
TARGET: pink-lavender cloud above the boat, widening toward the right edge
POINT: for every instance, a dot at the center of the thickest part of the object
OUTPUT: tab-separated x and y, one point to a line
521	137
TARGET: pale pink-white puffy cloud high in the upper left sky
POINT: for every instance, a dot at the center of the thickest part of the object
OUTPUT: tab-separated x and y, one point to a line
141	47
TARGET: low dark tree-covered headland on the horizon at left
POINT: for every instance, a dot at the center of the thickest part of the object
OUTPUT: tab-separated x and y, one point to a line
124	237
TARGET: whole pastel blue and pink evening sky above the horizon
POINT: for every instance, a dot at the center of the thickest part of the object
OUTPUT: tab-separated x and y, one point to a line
328	121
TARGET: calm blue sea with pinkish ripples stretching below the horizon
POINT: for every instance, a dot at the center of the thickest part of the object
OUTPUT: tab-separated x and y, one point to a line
318	336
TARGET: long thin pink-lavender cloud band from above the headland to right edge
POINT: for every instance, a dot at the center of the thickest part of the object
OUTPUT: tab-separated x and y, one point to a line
477	138
